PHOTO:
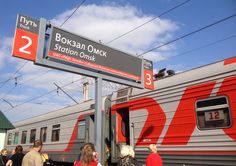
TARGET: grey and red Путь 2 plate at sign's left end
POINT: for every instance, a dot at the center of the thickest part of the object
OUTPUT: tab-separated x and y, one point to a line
26	38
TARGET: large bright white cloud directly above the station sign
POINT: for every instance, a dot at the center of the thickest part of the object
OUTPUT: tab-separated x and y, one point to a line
106	22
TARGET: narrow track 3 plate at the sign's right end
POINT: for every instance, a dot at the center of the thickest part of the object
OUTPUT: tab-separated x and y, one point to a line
148	74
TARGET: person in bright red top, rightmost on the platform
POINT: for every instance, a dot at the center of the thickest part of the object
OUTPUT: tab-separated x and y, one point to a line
153	158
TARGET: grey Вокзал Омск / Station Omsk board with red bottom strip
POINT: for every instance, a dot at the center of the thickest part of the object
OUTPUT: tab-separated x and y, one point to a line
77	50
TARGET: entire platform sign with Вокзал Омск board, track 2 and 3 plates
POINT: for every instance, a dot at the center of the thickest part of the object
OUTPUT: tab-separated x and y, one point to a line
70	52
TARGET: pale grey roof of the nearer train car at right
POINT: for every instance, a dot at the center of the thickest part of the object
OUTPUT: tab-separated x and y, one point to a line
197	75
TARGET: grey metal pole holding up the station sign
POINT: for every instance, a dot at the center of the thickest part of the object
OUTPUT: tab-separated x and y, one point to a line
98	116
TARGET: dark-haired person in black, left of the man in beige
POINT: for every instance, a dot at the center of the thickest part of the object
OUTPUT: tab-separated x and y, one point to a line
17	157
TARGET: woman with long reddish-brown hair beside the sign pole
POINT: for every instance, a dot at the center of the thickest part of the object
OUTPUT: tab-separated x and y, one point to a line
89	156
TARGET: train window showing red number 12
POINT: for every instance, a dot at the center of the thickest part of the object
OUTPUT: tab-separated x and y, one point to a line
213	113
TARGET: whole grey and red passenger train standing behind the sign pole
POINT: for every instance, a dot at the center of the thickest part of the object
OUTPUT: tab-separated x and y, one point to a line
190	116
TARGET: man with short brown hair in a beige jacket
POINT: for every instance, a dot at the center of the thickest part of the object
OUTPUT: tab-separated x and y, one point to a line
33	157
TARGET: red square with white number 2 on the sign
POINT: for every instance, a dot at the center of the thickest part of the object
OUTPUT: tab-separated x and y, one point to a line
25	45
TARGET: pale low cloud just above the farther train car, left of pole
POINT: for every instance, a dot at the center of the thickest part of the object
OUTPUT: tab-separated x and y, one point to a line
30	108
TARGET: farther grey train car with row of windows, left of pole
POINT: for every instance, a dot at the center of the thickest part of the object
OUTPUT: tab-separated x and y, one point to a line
63	132
